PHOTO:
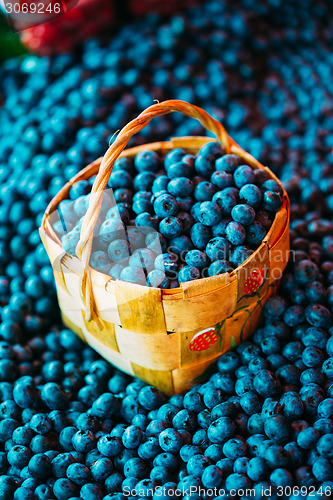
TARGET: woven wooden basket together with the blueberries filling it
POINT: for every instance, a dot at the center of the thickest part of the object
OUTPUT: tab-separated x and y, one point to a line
168	333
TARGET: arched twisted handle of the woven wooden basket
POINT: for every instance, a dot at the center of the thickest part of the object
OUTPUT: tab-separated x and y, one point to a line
83	248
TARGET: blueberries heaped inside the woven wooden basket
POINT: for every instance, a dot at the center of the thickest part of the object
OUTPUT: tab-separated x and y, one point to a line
200	216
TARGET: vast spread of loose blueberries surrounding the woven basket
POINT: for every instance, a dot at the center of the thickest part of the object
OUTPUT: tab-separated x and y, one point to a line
71	426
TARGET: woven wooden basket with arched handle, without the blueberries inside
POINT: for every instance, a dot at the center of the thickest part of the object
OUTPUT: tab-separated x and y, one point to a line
166	337
